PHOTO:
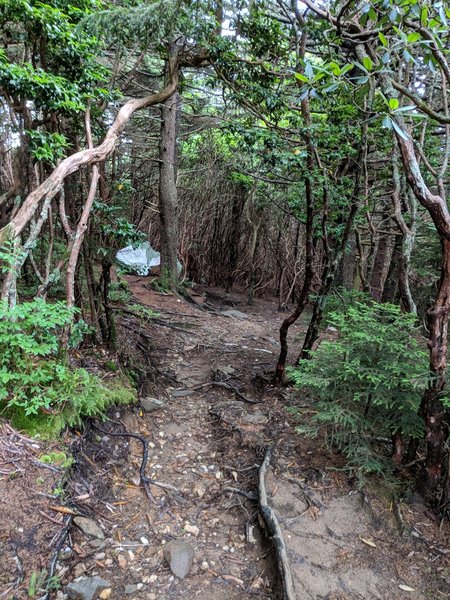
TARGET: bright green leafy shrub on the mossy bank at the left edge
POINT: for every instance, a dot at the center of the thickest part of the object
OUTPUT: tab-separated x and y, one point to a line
37	391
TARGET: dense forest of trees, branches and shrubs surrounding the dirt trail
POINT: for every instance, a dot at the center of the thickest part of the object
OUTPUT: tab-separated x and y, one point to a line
296	150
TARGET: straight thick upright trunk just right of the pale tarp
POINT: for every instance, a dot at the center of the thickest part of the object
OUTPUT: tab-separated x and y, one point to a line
168	197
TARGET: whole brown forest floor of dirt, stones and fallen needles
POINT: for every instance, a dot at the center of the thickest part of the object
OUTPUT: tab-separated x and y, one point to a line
206	444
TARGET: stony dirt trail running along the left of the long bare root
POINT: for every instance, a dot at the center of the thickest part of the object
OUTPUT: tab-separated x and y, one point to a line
198	535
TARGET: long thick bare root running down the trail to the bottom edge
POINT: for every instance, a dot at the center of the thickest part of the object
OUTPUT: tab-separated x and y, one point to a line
273	527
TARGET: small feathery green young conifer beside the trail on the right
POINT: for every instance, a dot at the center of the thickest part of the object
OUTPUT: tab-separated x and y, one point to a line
368	382
